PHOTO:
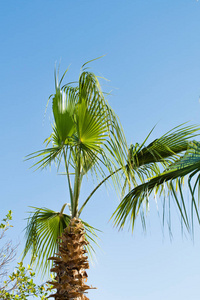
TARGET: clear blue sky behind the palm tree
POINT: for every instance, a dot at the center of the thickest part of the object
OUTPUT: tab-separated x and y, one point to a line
152	62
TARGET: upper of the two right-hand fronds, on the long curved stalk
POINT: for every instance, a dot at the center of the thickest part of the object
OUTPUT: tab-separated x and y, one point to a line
144	162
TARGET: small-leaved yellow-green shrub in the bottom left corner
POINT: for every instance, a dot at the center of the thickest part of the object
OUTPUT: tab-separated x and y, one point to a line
21	285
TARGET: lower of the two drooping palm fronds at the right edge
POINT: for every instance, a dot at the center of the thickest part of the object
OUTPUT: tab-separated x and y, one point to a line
187	164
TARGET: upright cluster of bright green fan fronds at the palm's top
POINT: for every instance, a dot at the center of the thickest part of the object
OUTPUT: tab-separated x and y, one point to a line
86	134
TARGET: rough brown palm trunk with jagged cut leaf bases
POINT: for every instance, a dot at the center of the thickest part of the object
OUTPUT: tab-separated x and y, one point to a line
70	264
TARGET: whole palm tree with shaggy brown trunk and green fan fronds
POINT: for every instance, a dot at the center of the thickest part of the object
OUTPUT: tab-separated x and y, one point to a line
88	139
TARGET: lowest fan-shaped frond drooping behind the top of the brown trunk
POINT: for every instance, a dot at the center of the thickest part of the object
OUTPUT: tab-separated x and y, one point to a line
43	230
